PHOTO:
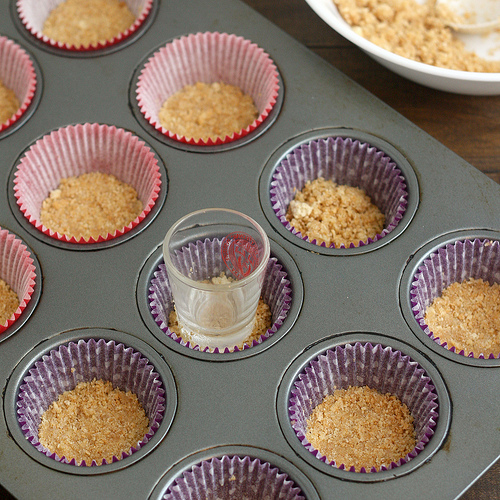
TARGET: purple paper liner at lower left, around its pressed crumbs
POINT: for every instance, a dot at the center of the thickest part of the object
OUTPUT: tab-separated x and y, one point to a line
65	367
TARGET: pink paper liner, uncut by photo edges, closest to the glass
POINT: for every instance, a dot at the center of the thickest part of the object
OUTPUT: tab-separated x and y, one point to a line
79	149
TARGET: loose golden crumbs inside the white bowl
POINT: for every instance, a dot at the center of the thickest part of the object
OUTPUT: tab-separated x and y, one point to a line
414	31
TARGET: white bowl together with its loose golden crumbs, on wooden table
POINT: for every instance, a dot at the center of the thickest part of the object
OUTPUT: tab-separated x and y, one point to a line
419	40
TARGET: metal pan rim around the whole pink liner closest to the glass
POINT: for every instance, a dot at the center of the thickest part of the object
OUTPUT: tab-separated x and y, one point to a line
88	246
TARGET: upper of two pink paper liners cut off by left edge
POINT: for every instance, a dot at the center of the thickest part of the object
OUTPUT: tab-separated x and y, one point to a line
17	74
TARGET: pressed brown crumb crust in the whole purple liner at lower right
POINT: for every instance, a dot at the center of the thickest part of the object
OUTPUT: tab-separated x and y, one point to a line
360	427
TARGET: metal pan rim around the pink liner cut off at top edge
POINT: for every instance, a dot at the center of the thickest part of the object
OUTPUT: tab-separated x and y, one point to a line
101	50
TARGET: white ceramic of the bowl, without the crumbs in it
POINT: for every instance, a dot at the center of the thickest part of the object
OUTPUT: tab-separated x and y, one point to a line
459	82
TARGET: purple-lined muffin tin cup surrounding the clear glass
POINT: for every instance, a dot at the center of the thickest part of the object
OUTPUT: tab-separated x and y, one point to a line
281	290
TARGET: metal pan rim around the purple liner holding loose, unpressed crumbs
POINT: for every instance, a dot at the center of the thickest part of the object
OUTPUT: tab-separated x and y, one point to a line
396	156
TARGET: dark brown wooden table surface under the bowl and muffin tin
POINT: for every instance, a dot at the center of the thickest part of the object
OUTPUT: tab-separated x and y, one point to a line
468	125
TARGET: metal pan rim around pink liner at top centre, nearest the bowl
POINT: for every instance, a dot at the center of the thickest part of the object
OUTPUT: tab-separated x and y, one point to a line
193	148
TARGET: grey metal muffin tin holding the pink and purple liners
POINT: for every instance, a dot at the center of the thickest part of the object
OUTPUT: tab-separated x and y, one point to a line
234	407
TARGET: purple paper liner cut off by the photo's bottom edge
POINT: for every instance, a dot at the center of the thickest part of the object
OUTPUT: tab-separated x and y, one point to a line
233	477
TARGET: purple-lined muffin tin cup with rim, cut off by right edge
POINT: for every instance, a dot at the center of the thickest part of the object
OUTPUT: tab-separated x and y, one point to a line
448	259
